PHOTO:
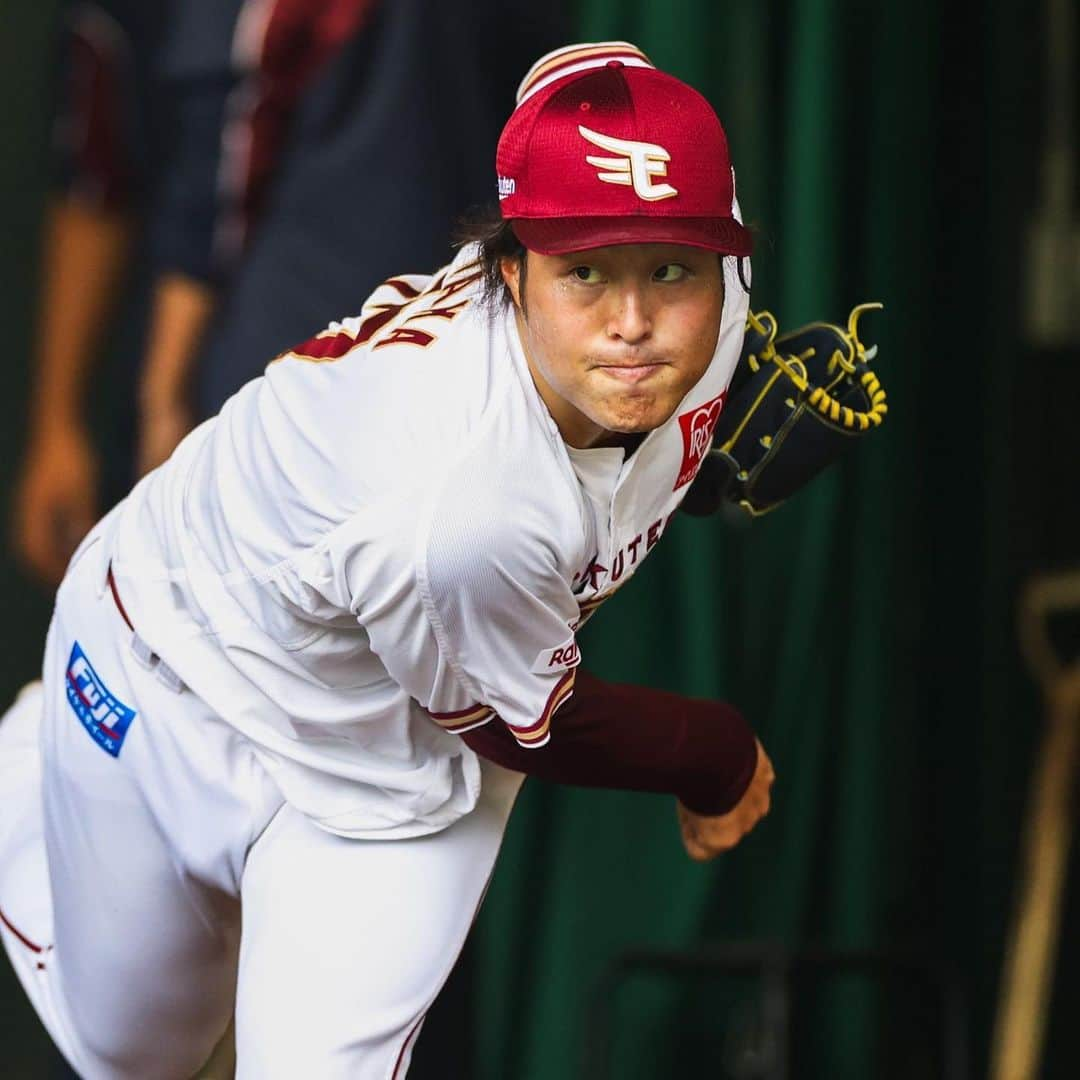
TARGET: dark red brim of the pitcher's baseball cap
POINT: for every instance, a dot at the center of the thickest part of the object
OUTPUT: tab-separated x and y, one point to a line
560	236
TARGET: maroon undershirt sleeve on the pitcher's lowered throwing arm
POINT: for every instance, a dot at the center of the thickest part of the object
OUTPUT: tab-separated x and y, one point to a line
611	735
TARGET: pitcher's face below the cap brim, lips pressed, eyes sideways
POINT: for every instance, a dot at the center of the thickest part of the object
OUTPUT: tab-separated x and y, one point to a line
616	337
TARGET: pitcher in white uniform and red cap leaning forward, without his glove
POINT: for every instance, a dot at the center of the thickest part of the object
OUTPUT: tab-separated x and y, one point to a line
293	682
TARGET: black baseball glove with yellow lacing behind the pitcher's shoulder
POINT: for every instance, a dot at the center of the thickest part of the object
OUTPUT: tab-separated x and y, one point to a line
796	402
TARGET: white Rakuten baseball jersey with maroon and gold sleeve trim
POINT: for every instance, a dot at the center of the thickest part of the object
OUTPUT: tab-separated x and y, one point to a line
385	542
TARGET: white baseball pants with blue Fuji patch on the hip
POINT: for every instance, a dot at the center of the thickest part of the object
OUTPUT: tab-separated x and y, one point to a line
148	897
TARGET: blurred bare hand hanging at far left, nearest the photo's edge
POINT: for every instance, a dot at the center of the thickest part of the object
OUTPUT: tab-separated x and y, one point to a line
56	499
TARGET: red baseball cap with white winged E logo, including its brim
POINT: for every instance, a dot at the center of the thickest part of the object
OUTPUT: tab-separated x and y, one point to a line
605	150
